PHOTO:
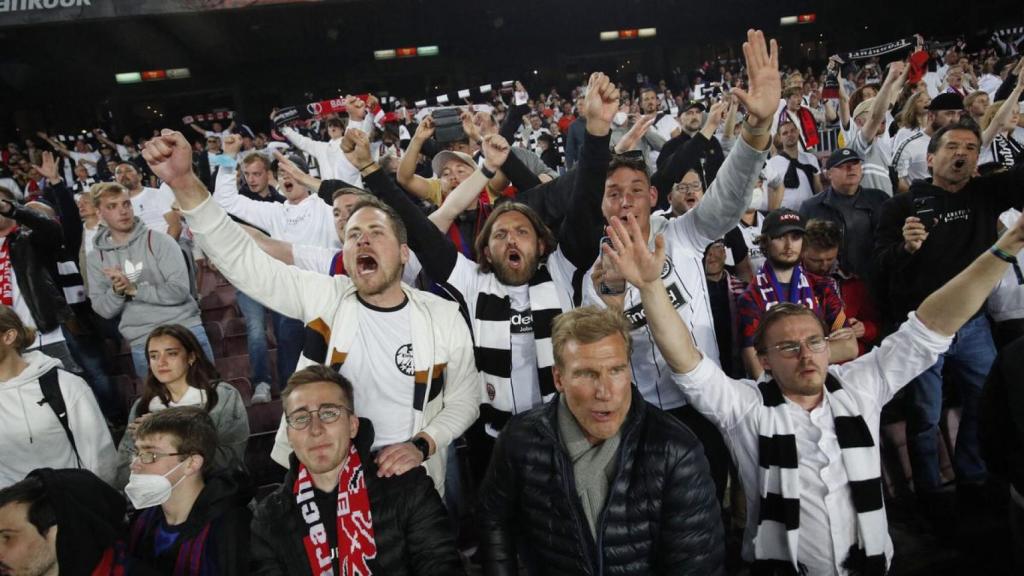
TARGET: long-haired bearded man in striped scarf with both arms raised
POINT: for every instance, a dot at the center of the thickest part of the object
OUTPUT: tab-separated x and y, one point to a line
524	277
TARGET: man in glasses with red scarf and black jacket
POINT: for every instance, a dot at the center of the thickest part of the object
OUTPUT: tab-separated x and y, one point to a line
334	514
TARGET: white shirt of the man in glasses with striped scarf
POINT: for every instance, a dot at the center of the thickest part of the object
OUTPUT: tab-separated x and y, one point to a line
828	520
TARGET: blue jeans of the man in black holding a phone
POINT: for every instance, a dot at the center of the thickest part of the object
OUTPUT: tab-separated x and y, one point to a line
972	355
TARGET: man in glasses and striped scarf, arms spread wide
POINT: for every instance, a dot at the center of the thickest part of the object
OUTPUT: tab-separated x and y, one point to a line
806	441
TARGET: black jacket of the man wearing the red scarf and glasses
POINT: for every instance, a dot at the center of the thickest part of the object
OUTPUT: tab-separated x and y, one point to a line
411	526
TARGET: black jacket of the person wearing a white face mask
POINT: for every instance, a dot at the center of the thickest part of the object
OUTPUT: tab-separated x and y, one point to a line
223	509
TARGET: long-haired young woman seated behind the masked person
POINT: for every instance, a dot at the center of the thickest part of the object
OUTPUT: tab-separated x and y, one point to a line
181	375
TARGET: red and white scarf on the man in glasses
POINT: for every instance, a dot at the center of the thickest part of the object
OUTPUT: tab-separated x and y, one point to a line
356	526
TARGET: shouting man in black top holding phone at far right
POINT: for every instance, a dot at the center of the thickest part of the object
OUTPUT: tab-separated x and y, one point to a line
925	238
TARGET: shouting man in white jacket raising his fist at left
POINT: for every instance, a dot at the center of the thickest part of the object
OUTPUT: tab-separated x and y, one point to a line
410	352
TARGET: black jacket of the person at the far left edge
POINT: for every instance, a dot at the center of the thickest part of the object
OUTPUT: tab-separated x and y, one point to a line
34	252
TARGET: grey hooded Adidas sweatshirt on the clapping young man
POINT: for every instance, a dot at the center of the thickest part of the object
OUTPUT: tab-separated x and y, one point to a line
155	263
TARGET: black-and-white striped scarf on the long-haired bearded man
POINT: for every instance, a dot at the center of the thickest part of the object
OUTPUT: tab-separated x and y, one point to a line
493	333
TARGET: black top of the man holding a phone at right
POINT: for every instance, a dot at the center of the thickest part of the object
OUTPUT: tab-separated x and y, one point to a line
967	229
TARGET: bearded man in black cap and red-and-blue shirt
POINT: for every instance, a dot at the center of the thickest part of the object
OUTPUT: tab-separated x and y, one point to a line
783	279
